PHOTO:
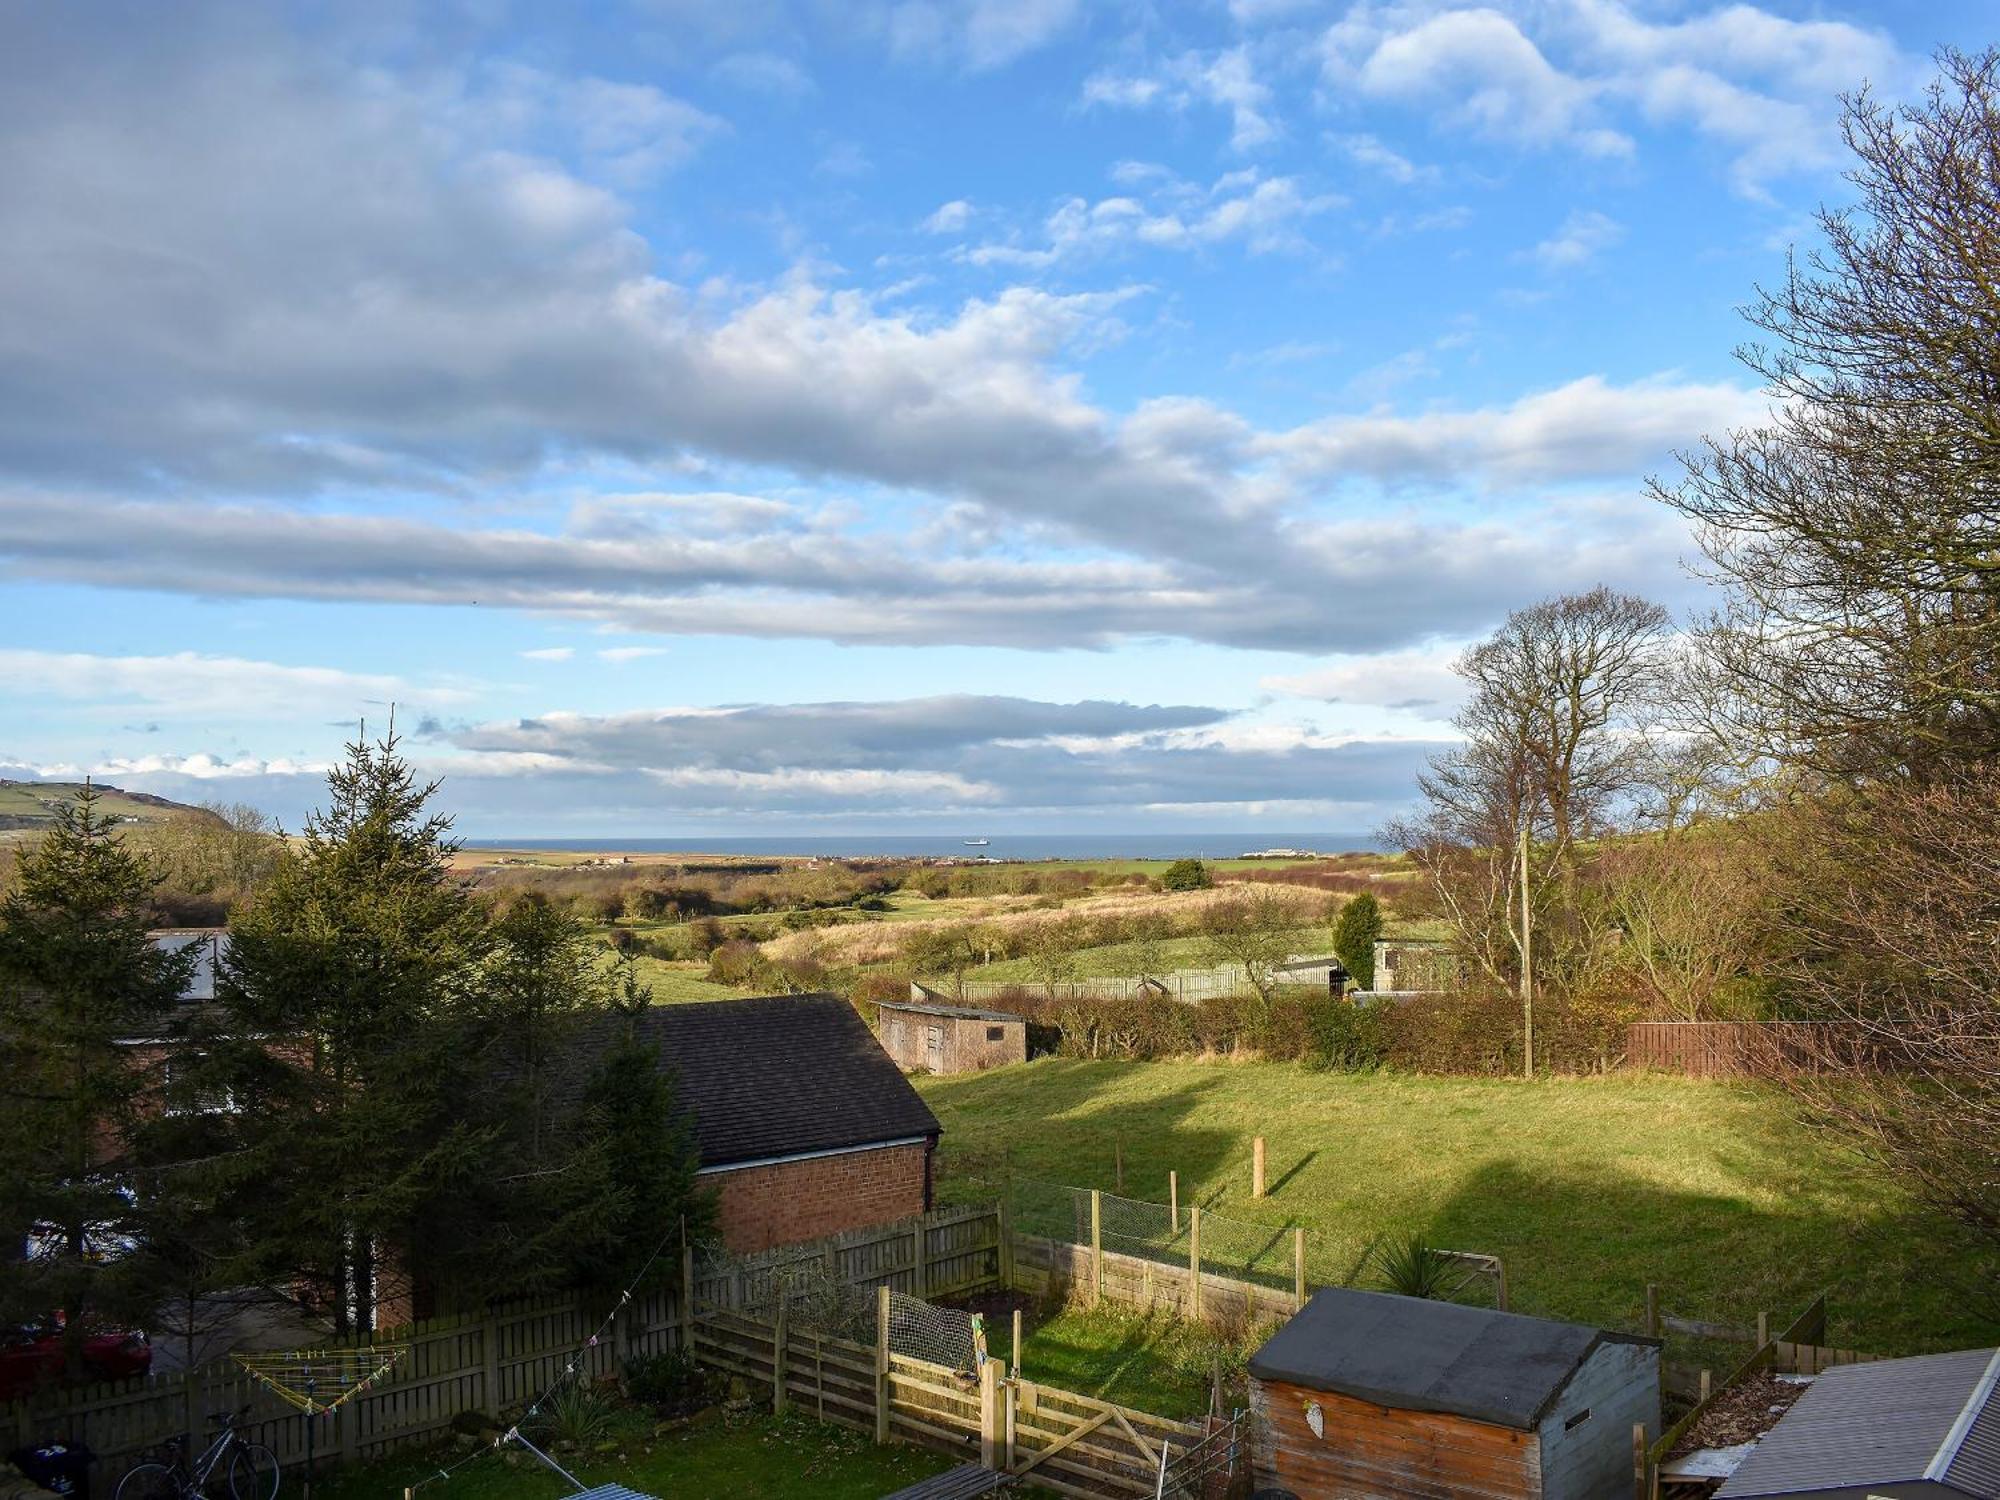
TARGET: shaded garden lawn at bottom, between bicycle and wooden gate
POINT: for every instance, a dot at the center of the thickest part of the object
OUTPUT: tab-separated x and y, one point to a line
783	1459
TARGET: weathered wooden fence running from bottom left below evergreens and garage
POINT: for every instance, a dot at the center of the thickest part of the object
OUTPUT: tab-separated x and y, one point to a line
495	1361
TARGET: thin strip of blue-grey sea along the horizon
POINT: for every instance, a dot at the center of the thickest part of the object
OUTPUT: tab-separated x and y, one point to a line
997	847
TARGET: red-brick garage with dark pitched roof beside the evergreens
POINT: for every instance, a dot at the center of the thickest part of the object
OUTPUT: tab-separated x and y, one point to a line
803	1123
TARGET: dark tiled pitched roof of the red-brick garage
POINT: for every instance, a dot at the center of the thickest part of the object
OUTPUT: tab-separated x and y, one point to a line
775	1077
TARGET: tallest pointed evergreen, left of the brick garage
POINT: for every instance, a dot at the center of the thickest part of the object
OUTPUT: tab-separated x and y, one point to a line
365	953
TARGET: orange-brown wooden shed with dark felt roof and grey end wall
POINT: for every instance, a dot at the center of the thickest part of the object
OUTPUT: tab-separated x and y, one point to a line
1375	1395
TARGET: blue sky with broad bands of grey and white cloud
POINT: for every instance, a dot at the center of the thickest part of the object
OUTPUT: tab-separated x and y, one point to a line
867	415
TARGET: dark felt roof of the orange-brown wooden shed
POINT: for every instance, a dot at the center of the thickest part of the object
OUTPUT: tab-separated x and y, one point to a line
1431	1357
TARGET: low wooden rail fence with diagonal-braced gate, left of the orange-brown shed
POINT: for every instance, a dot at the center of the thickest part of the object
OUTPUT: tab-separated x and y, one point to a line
1063	1441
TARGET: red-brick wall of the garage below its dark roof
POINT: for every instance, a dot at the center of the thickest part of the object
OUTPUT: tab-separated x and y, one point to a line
763	1207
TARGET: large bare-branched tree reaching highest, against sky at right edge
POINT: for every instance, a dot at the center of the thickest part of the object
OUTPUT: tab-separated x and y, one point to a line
1859	529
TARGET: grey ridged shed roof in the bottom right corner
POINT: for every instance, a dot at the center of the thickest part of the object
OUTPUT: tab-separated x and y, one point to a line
1935	1417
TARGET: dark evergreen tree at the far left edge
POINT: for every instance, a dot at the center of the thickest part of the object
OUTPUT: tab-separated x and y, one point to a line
79	979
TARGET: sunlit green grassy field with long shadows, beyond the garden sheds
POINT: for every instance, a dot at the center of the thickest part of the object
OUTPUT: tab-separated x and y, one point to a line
1587	1187
